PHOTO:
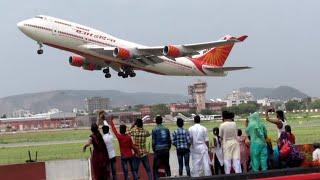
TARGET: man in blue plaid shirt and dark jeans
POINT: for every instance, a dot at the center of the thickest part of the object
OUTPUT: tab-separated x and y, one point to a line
181	139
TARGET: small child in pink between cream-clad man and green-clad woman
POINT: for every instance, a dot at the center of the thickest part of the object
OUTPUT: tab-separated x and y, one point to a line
244	151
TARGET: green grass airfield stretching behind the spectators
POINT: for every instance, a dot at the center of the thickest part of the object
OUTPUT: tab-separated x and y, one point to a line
306	129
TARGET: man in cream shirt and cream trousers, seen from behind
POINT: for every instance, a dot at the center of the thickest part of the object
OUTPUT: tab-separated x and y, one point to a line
228	131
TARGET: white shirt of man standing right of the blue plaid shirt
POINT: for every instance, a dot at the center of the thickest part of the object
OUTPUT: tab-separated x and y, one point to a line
199	137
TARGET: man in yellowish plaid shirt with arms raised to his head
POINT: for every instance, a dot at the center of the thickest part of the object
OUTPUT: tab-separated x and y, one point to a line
139	136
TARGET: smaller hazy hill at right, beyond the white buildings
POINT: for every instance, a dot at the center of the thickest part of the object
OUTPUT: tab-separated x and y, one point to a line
281	92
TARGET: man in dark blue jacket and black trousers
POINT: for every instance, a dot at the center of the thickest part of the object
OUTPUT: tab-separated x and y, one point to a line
161	144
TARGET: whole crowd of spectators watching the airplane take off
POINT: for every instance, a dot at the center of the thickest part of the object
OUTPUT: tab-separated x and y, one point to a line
231	149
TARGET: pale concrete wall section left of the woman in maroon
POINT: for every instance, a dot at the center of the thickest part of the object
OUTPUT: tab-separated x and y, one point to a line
67	169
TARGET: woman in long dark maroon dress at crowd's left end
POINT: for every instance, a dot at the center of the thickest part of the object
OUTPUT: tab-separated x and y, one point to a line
100	158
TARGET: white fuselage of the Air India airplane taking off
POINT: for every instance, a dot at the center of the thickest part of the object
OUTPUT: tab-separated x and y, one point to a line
73	37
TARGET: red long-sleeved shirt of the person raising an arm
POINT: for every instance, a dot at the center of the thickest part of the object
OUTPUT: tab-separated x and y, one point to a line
125	142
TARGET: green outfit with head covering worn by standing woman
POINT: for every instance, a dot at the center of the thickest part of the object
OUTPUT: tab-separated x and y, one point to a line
258	146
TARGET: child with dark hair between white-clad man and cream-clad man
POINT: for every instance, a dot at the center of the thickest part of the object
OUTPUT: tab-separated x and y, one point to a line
217	160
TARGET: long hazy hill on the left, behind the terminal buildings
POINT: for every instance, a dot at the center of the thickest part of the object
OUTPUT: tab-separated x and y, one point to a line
66	100
